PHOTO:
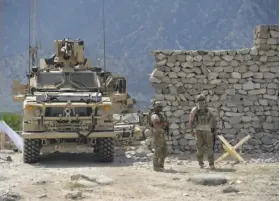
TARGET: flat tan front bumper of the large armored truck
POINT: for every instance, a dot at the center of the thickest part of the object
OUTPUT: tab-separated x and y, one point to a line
52	135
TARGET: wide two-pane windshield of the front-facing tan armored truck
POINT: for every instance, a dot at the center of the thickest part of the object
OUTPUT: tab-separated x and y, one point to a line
76	80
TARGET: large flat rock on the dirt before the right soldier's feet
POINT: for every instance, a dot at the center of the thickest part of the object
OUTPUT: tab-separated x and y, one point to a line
209	179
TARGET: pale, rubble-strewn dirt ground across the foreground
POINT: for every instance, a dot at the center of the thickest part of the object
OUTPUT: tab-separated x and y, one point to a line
75	177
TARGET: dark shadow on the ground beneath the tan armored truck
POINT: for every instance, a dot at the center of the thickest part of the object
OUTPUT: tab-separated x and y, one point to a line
71	160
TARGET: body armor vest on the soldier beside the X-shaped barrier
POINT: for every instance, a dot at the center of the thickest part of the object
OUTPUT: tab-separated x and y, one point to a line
203	120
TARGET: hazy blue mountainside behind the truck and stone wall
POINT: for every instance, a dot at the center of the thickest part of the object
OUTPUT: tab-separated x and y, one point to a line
133	29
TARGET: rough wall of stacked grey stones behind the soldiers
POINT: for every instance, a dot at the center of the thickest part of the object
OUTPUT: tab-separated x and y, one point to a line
241	85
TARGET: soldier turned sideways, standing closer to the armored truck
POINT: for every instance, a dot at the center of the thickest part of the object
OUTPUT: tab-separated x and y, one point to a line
157	123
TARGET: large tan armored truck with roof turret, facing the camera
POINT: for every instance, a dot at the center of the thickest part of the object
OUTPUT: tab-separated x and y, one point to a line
68	102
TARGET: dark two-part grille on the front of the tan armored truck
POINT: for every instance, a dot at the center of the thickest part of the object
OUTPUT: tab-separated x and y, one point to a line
56	111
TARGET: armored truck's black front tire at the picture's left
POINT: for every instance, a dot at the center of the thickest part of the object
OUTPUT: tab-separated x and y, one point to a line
31	150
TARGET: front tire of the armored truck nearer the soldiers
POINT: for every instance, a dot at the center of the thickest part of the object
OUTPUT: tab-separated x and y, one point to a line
105	150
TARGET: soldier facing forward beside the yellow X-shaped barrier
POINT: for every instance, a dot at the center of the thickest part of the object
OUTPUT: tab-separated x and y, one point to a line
205	125
